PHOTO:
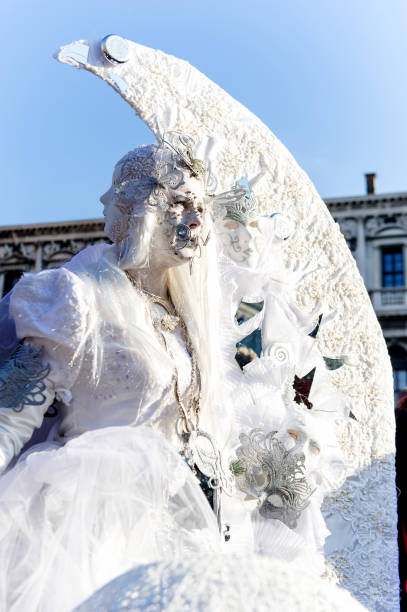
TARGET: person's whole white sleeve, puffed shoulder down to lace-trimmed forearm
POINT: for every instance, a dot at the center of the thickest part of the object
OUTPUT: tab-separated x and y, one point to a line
50	314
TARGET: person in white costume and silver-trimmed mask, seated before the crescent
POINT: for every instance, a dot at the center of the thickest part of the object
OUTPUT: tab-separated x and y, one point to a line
112	349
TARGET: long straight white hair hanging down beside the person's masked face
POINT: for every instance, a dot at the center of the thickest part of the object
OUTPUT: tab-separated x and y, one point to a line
195	293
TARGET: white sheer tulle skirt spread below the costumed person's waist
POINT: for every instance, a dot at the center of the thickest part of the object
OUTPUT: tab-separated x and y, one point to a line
73	517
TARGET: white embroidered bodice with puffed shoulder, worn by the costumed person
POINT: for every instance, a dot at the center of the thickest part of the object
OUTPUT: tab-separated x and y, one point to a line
134	383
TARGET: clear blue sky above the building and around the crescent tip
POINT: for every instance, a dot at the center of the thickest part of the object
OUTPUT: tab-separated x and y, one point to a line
327	76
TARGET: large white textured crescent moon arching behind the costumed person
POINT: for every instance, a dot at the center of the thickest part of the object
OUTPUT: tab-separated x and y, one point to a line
169	94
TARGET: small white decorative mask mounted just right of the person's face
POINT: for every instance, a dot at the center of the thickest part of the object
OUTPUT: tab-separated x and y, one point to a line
242	243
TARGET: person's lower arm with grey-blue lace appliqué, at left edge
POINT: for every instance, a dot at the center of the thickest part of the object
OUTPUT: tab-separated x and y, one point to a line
25	395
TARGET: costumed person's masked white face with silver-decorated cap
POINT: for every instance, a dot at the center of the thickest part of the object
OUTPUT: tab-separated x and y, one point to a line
168	180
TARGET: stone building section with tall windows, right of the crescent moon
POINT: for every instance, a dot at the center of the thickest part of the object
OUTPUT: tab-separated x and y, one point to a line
375	228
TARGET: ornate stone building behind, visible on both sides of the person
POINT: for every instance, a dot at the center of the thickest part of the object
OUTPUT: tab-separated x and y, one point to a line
374	225
